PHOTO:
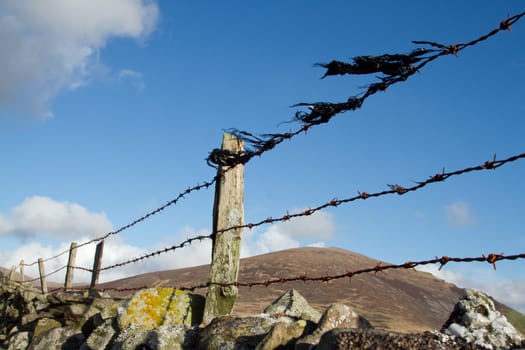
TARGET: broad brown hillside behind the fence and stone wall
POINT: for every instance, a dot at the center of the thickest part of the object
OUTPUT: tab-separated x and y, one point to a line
399	300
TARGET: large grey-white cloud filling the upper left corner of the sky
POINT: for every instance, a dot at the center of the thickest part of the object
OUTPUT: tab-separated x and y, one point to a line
48	46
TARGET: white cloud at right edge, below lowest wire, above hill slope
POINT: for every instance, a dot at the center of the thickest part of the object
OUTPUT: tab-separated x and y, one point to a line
510	292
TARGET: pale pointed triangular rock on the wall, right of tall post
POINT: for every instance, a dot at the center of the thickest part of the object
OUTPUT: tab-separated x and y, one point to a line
293	304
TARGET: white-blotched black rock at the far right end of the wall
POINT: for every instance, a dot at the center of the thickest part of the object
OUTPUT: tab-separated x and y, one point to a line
476	320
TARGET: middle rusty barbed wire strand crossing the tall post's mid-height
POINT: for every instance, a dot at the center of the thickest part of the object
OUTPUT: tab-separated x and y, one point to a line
394	189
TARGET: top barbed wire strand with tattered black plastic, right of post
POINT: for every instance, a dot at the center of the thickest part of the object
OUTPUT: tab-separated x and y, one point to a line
396	68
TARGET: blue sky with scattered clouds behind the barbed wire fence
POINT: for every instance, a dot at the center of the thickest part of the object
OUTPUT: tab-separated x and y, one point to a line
108	111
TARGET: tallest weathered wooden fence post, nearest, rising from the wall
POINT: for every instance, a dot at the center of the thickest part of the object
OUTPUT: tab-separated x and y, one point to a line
228	211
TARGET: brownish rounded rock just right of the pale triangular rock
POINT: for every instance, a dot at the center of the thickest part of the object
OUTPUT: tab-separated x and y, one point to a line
335	316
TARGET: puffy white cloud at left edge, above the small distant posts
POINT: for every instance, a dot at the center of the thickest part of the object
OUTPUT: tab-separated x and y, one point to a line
39	215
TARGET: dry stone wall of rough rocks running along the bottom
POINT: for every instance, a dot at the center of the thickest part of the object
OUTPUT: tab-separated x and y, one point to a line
165	318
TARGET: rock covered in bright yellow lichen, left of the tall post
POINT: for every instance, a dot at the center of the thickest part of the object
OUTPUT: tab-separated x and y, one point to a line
151	308
